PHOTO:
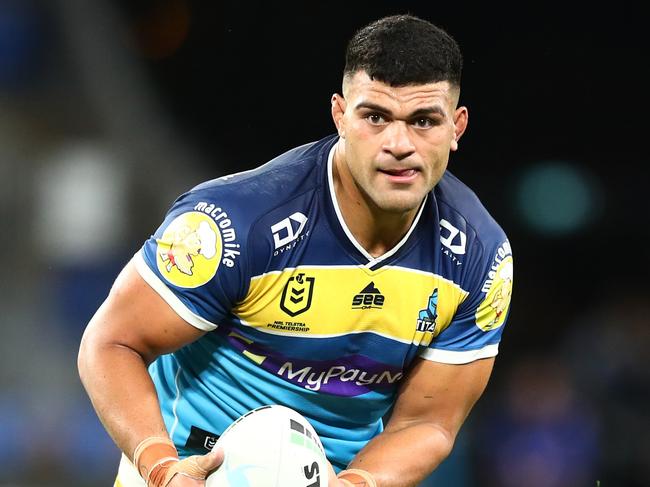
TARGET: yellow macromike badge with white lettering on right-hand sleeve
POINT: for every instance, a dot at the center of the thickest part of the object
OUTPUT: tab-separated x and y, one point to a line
492	311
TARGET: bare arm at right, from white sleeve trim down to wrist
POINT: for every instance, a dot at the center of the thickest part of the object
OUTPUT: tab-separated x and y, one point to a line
432	404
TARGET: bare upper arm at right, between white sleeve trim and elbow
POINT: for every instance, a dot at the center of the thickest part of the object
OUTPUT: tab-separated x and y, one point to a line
440	394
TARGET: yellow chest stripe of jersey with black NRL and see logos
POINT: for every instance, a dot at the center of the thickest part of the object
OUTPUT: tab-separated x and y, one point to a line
334	301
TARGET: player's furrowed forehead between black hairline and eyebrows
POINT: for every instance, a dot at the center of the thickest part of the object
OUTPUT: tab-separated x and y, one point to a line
362	89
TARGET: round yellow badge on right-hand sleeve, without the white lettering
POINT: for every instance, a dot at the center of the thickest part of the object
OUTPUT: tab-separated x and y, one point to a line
491	312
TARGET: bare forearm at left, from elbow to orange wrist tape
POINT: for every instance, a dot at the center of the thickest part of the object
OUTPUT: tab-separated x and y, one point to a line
122	393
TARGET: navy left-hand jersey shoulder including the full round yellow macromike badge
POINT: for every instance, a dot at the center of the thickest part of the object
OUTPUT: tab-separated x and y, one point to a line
217	223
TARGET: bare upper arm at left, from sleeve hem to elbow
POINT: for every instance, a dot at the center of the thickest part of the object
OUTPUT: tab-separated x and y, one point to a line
136	317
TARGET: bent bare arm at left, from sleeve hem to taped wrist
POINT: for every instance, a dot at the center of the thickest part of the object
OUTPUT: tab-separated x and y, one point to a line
130	329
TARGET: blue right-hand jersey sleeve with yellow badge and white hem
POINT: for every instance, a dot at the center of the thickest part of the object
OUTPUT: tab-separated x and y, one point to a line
476	328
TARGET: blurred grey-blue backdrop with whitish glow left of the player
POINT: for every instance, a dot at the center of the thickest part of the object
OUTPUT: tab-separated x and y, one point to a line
76	142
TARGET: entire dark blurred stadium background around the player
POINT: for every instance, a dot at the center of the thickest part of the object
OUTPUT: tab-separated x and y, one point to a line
109	109
